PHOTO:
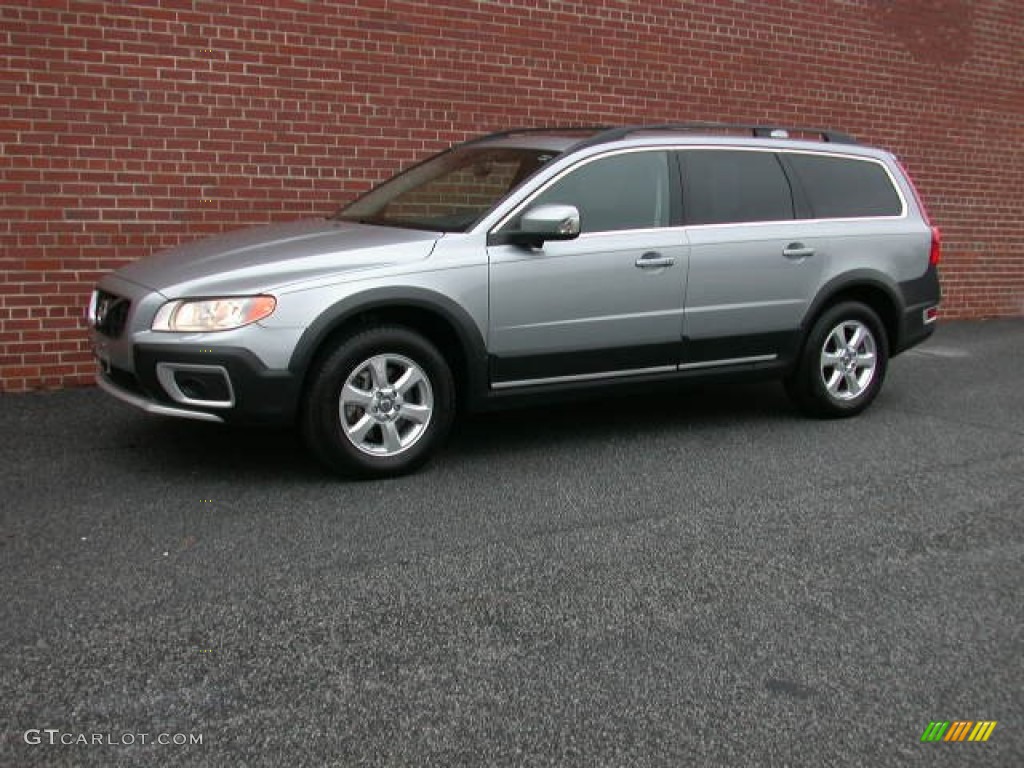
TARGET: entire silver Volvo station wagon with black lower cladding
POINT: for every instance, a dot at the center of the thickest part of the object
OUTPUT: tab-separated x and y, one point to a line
532	265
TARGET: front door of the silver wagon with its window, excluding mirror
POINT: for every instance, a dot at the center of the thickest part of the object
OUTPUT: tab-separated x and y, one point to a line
606	305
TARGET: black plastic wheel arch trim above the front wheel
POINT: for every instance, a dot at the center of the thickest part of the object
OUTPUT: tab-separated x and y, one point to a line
447	325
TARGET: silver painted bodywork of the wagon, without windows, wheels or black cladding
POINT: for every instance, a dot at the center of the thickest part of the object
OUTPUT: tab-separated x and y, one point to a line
572	296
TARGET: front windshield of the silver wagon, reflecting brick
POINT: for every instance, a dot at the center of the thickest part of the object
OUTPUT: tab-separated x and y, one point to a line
448	193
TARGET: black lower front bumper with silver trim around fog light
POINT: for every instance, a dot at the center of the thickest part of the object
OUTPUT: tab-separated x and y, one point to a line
215	385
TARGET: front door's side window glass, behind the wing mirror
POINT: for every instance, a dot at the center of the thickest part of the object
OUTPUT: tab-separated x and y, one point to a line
629	191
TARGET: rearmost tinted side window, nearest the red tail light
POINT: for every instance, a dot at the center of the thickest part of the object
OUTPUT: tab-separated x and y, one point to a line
845	188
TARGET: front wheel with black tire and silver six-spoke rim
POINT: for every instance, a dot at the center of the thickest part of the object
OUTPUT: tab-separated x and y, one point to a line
380	405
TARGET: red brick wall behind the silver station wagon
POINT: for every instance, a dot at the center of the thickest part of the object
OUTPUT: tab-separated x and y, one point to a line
131	127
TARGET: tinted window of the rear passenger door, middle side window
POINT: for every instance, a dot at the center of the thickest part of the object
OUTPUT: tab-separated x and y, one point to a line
733	187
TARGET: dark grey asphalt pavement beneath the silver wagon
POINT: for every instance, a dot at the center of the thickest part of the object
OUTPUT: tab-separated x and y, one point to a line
698	578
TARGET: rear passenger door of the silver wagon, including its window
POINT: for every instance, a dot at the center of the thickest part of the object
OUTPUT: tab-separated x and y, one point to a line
754	268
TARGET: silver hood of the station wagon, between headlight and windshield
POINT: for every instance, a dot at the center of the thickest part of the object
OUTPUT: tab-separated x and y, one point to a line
269	258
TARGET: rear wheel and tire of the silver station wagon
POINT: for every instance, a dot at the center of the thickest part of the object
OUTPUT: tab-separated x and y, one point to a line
843	363
